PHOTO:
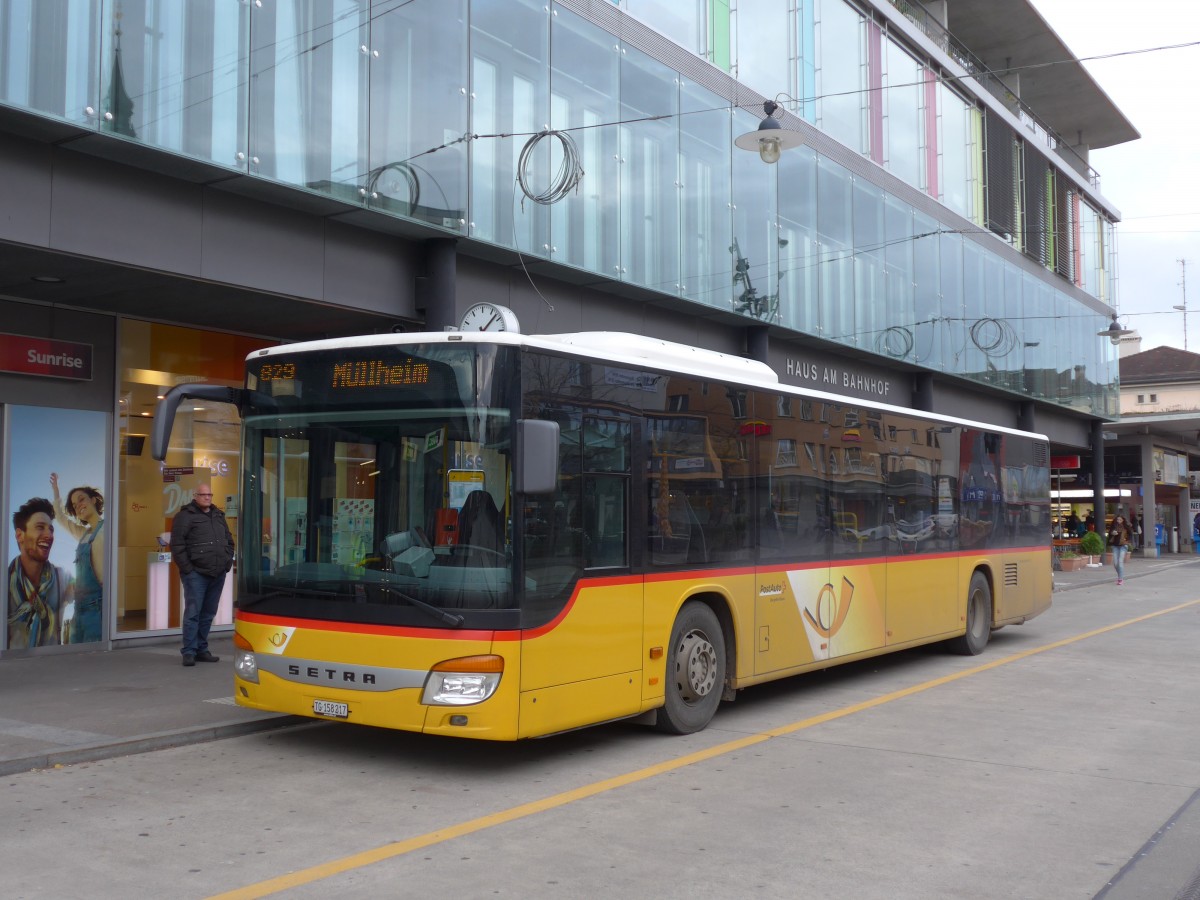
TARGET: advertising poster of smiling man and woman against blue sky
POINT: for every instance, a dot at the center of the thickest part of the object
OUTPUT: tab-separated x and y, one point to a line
57	537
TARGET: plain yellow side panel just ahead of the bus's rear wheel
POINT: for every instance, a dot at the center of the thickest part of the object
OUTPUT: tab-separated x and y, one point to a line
925	596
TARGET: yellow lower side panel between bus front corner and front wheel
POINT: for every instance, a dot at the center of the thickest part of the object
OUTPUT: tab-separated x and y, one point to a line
581	667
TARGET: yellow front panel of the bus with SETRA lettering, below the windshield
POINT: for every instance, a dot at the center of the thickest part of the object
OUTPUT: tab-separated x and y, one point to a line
325	662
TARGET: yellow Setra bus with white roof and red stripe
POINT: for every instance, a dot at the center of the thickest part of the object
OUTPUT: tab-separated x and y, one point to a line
503	537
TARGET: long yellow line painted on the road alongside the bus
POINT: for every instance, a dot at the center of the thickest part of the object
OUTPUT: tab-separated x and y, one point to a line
398	849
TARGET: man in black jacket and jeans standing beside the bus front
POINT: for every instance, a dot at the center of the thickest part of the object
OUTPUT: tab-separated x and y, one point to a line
202	547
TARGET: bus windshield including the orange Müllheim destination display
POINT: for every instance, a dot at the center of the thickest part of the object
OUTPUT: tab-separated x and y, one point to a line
377	487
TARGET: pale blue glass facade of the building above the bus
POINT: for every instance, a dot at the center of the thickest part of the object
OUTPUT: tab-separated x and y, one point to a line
435	111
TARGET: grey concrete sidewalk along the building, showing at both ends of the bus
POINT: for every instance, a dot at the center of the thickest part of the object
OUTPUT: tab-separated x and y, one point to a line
79	707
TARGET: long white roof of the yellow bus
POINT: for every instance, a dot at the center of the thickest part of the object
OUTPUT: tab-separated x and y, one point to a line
632	351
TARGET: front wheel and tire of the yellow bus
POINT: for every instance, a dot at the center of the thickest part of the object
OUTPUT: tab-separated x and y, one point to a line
695	671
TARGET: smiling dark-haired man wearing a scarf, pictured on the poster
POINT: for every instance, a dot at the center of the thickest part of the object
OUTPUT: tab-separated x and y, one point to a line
39	592
